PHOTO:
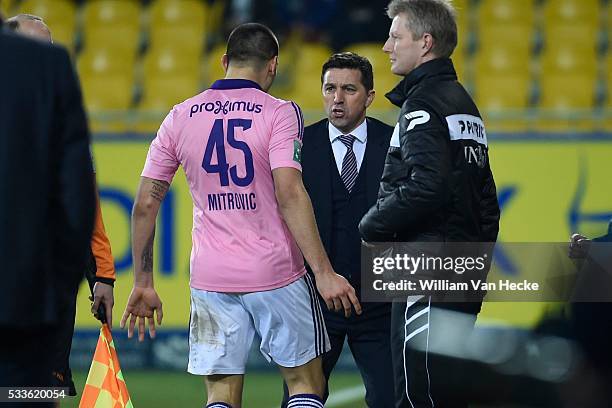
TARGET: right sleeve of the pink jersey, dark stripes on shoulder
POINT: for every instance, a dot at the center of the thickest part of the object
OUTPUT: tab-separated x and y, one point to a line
286	139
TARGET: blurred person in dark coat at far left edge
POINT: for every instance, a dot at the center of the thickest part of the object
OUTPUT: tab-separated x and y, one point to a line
47	202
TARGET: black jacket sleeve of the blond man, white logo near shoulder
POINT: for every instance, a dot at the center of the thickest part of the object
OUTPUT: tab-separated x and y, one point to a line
419	172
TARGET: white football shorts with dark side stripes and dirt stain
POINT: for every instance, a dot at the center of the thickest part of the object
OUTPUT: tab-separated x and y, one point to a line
223	325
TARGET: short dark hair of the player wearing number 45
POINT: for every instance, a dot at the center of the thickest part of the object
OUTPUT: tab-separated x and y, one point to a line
251	44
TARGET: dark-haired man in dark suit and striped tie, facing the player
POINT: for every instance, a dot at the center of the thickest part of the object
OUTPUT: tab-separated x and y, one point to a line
342	162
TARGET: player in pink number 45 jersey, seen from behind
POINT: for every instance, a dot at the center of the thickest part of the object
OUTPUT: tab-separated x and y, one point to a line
252	221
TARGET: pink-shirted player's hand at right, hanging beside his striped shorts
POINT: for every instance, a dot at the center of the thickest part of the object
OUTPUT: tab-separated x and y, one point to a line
337	293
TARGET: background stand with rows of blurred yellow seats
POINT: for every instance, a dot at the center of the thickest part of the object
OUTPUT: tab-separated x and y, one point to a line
531	64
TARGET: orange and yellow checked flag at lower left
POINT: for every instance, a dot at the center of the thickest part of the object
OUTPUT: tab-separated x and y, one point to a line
105	386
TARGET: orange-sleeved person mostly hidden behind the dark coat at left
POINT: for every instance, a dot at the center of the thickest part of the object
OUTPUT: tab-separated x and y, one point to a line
100	270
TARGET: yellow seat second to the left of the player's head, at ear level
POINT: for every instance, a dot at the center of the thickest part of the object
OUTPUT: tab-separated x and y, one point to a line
105	61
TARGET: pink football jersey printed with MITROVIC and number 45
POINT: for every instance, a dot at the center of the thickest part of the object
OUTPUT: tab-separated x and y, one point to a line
228	139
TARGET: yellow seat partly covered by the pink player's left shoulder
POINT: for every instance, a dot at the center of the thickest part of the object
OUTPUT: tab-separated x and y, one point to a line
160	95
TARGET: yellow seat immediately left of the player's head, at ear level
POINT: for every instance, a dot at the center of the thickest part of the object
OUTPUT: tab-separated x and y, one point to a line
170	62
